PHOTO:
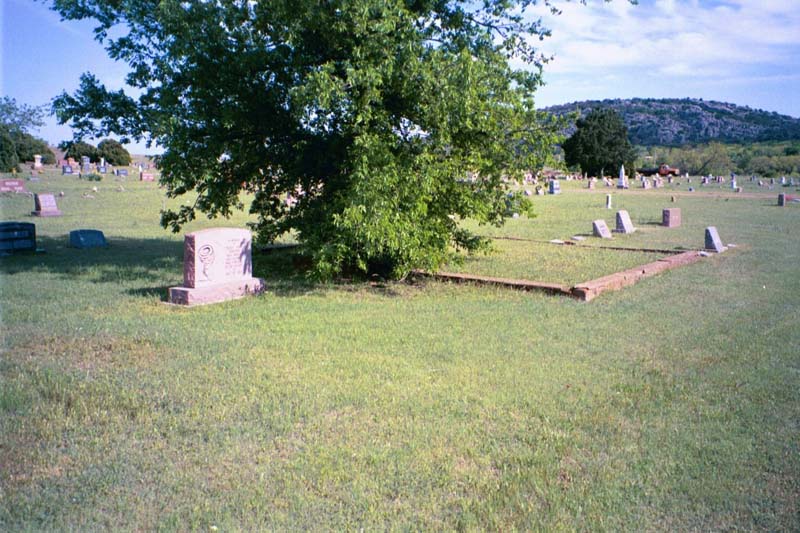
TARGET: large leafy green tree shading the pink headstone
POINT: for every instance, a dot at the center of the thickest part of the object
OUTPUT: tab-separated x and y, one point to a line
369	127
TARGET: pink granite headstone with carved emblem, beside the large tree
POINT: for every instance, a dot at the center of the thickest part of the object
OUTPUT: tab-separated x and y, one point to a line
217	266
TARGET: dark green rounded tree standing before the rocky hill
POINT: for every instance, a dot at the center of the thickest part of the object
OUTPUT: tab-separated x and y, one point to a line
600	143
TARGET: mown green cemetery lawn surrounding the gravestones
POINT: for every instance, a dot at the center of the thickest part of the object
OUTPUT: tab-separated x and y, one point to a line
673	404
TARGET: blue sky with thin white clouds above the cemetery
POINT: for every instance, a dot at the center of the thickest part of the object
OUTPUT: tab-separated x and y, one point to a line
742	51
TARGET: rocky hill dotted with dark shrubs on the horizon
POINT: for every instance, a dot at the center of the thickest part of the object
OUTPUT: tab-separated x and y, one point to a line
675	122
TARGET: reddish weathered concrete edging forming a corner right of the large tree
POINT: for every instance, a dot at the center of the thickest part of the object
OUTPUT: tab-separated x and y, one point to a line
585	291
